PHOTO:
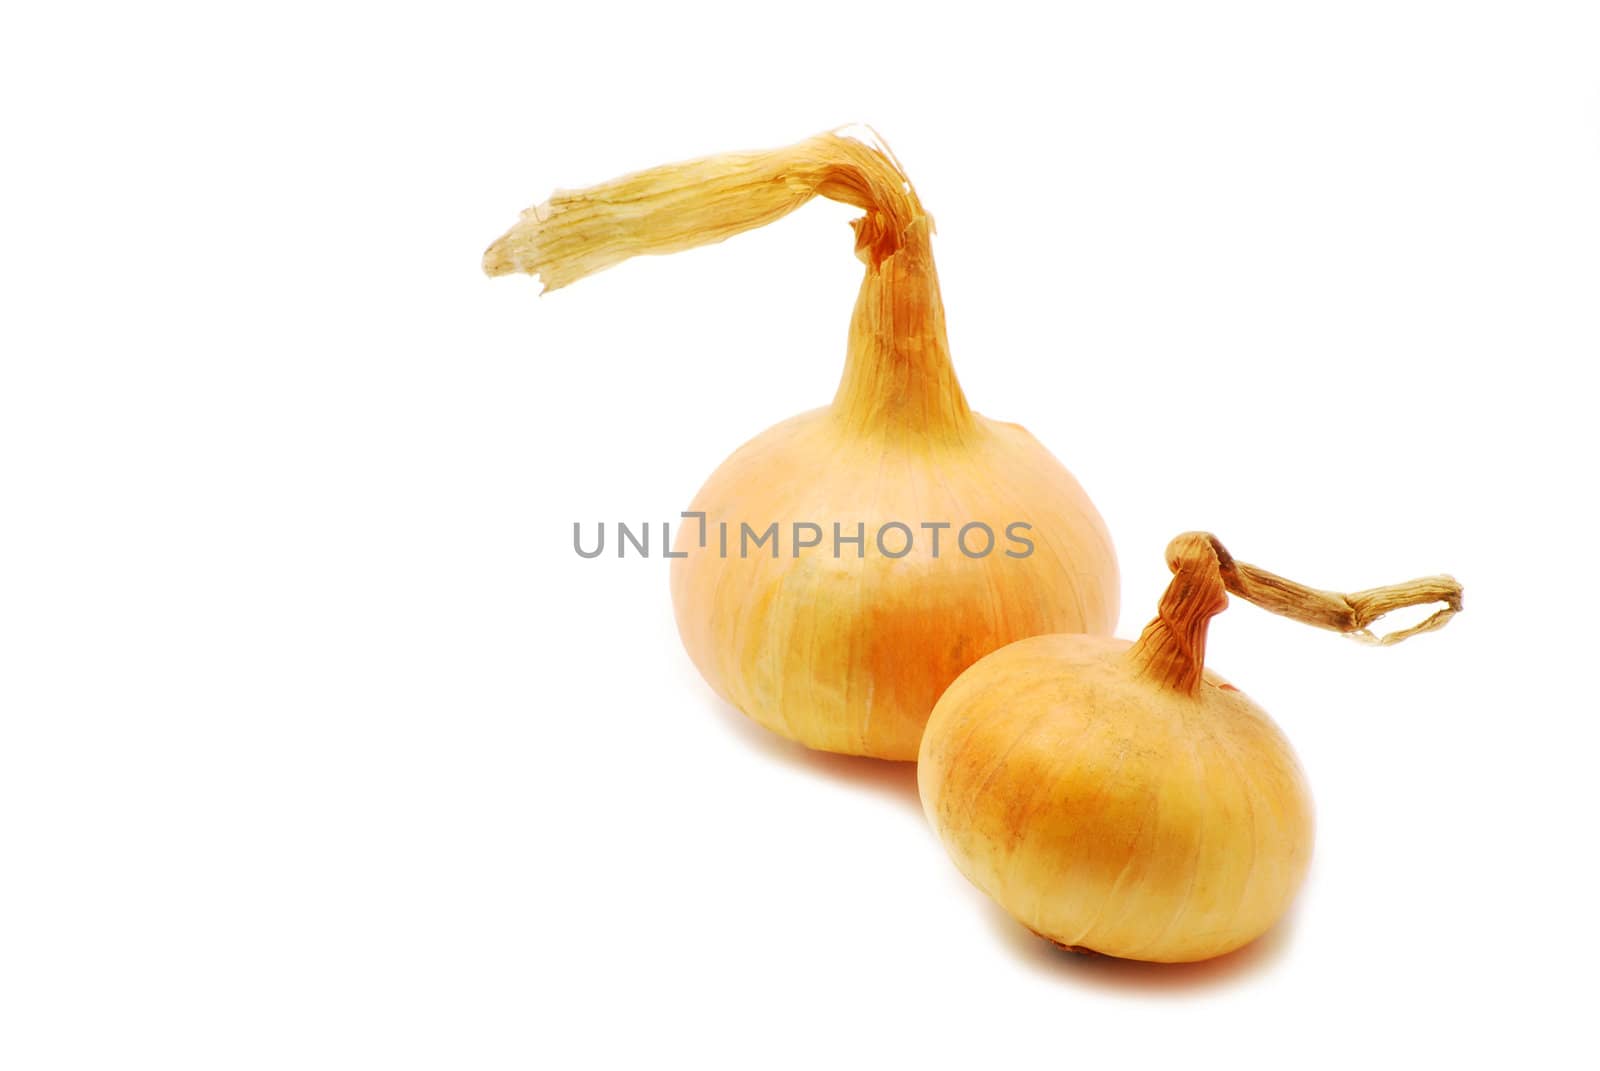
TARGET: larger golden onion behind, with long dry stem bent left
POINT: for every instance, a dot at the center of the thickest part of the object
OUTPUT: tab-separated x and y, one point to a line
846	646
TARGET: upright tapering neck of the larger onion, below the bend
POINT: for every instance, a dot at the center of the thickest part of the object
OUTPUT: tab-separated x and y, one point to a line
898	374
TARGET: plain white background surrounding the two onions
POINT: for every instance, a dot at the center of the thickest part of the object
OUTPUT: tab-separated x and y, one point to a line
322	748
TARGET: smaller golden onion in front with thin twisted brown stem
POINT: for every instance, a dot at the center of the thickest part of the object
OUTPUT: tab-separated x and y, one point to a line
1121	798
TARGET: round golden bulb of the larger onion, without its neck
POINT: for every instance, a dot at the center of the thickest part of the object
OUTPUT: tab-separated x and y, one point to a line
849	654
